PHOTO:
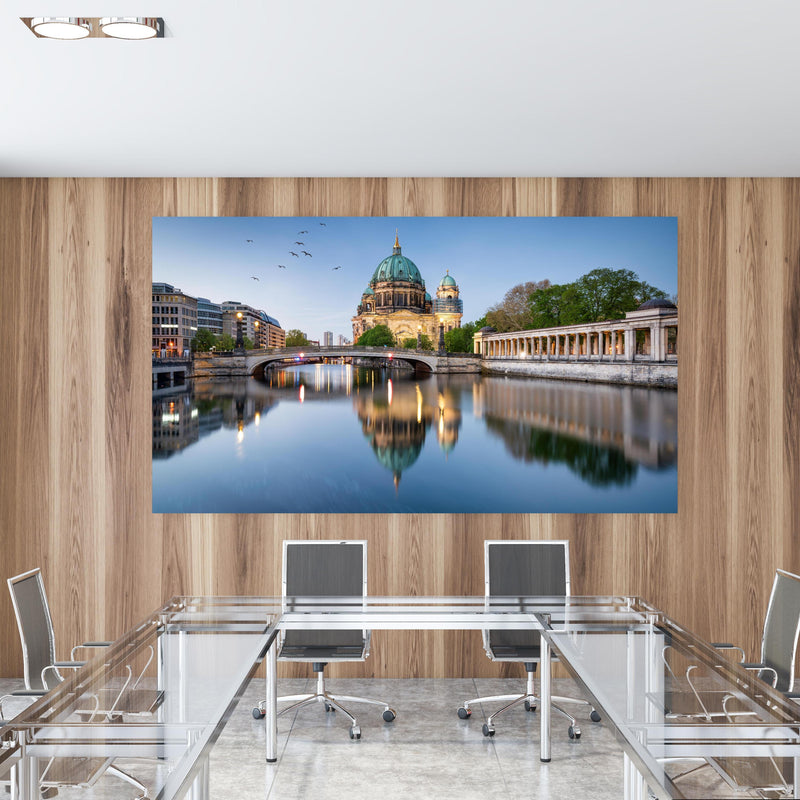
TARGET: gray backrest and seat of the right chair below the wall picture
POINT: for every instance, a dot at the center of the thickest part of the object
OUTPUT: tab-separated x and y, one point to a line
522	569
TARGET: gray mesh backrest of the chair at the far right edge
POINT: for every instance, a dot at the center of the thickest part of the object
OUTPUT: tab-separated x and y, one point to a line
781	629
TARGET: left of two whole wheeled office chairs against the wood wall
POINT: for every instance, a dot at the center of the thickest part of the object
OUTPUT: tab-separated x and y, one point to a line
324	569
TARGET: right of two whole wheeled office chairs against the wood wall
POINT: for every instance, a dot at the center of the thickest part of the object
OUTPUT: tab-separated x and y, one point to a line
523	569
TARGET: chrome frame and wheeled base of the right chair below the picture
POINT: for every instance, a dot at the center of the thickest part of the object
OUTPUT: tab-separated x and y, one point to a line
529	698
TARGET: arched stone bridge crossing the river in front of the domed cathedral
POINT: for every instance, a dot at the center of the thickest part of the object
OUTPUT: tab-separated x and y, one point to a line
254	362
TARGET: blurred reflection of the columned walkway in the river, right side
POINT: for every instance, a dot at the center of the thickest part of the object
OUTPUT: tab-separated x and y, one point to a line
640	423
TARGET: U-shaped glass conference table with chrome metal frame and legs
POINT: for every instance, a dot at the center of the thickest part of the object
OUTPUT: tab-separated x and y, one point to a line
667	694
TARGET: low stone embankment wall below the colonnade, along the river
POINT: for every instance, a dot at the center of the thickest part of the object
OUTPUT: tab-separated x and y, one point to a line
635	374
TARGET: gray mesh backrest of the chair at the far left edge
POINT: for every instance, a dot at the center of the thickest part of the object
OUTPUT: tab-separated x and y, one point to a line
35	626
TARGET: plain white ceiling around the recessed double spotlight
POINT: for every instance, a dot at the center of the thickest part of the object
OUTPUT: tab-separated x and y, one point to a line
419	87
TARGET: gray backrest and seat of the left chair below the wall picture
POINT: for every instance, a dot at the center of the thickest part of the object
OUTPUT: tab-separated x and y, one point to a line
324	569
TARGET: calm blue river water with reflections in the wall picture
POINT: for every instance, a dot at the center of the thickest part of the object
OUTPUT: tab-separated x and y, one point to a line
343	439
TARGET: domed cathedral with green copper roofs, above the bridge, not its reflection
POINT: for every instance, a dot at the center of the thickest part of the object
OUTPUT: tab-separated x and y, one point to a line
396	297
